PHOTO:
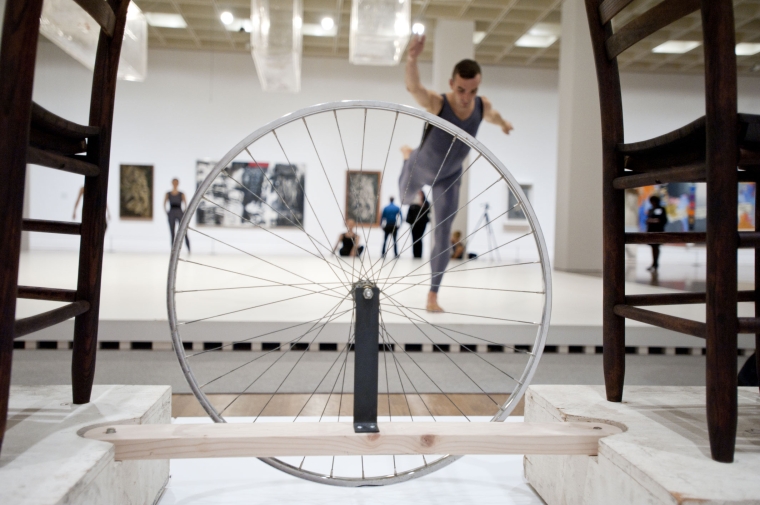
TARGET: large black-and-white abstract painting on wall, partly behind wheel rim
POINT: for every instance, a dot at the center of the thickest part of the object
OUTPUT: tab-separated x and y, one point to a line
252	194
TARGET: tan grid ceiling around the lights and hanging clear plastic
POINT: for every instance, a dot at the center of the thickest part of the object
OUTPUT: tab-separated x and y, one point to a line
502	21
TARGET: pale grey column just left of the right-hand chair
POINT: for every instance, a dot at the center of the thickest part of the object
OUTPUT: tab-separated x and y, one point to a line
578	232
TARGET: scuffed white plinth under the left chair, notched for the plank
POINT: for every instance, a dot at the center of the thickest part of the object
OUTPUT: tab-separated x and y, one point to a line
45	461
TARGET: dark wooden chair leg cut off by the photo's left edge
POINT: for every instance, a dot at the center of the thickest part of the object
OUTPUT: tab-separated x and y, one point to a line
17	53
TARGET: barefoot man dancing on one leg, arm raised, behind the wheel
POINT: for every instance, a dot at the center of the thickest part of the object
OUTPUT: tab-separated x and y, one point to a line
436	162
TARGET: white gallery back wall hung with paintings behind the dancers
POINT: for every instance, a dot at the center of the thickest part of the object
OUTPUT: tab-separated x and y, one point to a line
197	105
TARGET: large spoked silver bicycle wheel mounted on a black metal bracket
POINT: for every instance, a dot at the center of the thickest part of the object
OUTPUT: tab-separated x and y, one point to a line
281	291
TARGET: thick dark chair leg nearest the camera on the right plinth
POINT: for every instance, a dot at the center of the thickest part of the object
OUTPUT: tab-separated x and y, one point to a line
722	194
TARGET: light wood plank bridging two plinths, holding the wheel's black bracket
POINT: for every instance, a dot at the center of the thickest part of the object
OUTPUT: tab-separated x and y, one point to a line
226	440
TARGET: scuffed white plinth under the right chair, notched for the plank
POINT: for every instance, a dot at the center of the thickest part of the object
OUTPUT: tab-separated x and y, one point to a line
663	457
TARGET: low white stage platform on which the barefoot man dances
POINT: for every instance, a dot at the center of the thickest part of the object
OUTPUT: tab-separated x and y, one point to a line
133	302
